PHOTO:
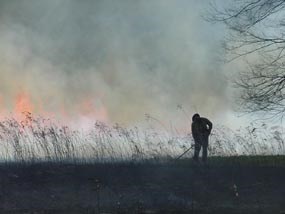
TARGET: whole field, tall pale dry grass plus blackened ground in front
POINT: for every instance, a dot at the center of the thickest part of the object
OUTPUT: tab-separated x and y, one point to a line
49	168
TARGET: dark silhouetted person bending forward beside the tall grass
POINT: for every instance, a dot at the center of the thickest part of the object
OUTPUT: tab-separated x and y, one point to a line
201	129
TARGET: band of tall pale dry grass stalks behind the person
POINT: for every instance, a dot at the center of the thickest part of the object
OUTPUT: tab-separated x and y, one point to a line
39	139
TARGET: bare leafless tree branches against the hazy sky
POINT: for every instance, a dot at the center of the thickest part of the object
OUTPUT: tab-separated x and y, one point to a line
257	33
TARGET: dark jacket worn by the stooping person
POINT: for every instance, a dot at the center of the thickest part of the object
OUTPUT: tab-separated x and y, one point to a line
201	127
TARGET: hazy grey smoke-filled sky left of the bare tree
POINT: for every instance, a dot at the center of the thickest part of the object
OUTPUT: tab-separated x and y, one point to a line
117	59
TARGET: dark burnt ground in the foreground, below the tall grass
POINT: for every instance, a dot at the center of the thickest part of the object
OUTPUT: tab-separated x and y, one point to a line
149	187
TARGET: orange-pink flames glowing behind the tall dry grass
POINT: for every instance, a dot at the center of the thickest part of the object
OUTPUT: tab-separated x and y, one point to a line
88	110
